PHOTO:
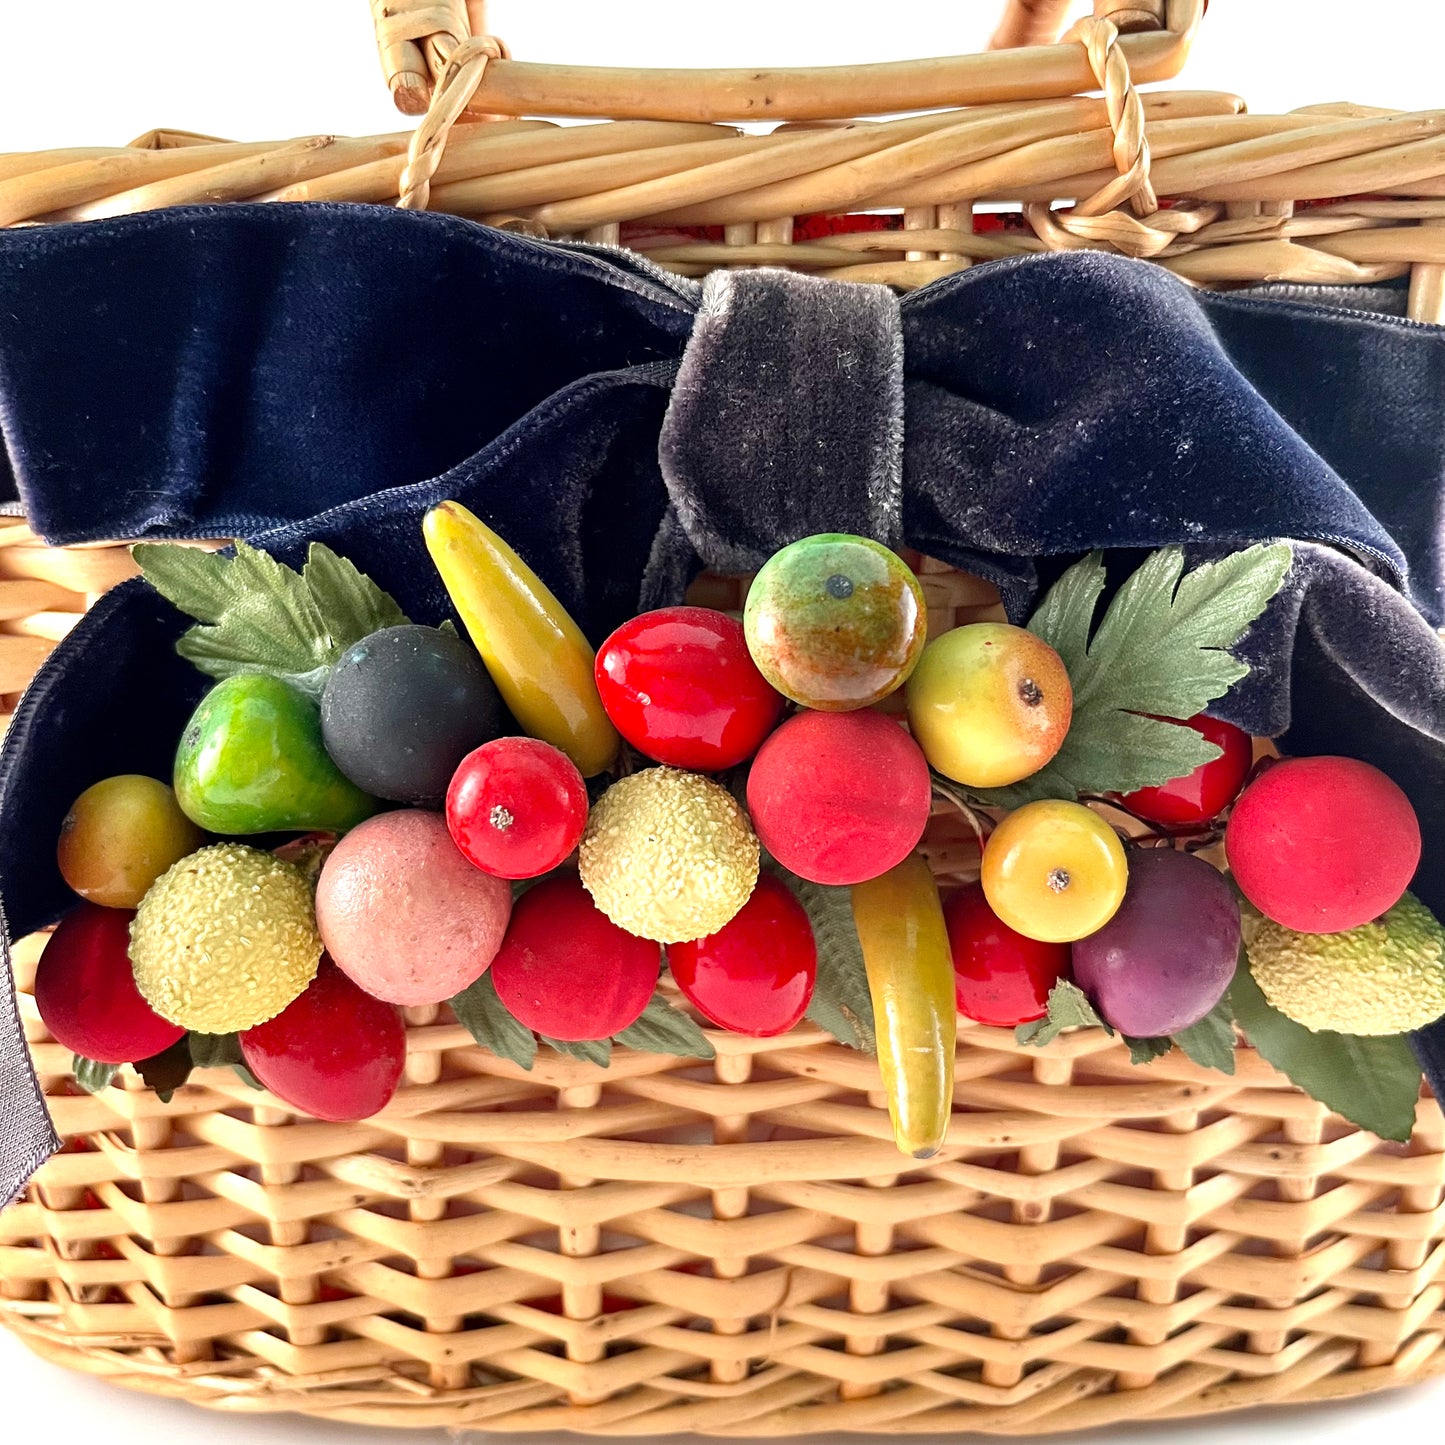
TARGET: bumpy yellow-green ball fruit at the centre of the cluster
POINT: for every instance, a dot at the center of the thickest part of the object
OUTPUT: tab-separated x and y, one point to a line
670	856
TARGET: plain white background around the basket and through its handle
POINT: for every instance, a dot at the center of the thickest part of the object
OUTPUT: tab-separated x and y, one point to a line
103	72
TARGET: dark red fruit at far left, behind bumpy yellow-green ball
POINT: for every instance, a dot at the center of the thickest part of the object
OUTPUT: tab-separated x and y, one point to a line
87	993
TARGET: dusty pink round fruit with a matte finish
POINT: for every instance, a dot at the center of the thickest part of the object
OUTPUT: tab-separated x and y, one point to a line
405	915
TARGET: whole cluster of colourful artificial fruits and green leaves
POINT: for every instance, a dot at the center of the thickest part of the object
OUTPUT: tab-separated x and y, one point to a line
715	819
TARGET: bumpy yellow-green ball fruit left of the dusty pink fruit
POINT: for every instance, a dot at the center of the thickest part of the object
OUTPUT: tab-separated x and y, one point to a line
226	940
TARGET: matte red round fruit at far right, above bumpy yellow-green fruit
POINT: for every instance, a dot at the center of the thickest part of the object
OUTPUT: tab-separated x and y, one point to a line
1323	845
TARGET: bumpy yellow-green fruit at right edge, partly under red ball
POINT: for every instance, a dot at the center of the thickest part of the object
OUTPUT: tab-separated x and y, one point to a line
1382	978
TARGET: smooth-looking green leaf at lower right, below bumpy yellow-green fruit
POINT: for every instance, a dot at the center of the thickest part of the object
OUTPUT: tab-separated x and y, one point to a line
1373	1083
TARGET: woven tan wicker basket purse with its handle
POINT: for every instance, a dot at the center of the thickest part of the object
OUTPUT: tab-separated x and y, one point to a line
738	1248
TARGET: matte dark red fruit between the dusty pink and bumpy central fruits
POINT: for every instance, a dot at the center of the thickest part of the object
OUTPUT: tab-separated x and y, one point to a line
567	970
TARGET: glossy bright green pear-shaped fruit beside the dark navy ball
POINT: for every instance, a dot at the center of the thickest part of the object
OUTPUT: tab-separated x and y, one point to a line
252	761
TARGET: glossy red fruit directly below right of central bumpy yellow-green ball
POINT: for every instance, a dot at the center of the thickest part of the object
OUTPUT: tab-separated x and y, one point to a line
756	975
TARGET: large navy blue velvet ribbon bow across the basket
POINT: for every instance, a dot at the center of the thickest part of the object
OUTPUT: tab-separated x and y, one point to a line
309	372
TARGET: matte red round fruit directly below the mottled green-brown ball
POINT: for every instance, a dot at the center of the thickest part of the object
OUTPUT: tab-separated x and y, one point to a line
840	797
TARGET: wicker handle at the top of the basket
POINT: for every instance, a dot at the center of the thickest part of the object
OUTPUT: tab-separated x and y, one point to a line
418	38
